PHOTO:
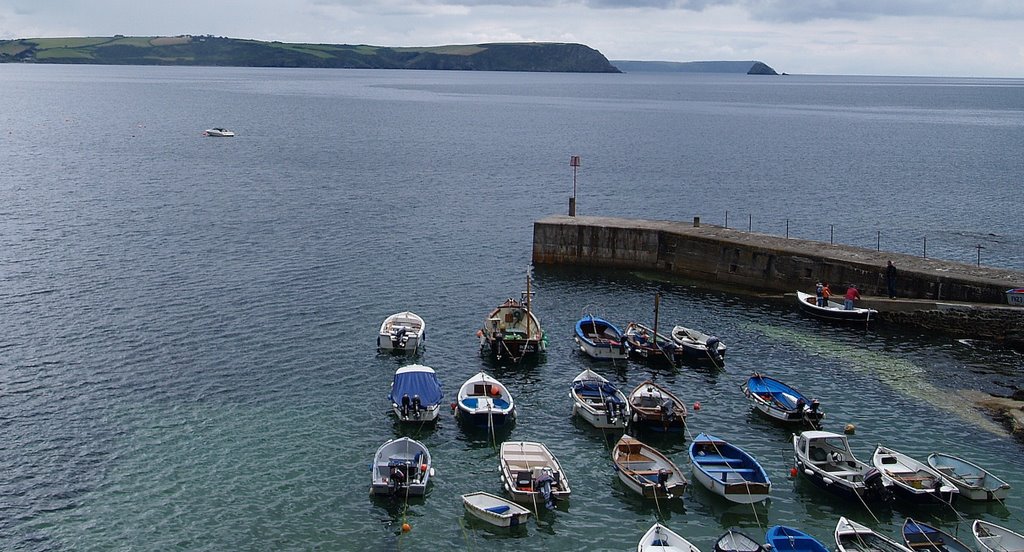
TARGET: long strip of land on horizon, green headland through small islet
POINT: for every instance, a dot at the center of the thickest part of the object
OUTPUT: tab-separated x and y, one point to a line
223	52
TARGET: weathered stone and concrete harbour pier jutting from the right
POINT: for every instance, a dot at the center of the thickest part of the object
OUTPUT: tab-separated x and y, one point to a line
962	300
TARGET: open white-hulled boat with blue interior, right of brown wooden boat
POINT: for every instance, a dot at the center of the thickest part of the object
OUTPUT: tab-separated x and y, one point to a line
728	471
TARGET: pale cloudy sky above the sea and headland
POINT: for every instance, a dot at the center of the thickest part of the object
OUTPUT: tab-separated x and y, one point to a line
951	38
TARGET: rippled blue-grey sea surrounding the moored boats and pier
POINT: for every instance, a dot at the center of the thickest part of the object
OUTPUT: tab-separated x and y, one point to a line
188	356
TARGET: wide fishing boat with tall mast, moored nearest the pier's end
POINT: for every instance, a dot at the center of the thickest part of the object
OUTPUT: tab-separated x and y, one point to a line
511	332
